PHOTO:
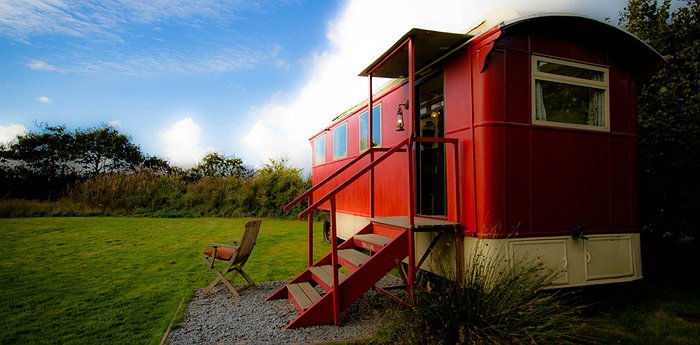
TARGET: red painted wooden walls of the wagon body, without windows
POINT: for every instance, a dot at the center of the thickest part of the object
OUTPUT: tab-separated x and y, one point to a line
515	179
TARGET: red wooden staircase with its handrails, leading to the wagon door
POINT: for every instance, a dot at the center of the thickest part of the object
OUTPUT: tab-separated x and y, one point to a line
321	293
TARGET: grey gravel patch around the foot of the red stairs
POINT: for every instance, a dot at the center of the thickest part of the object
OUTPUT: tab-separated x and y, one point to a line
218	318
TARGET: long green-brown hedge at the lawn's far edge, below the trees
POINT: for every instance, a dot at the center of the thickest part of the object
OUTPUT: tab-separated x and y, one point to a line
151	194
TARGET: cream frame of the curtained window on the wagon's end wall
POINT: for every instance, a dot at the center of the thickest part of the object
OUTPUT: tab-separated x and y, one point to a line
603	85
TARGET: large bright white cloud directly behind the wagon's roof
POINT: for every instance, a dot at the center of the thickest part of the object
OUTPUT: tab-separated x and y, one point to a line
356	36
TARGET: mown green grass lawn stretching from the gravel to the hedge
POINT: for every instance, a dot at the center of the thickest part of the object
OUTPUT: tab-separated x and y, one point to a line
120	280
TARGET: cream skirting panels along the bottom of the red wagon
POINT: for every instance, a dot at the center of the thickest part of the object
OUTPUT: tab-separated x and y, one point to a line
599	259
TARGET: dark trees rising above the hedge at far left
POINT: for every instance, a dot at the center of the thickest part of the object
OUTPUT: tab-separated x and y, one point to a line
45	162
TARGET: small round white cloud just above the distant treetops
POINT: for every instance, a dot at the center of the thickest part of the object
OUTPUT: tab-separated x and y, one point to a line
182	143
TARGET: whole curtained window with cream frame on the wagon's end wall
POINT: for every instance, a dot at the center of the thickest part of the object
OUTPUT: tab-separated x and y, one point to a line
569	94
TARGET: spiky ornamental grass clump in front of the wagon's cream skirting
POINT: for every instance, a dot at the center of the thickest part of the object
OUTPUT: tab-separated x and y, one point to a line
496	302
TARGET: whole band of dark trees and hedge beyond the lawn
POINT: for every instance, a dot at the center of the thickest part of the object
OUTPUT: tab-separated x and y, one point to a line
98	171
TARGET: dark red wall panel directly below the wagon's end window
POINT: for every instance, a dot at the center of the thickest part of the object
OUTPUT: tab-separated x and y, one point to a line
570	181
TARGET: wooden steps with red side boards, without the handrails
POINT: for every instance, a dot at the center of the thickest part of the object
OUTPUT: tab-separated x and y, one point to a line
369	256
